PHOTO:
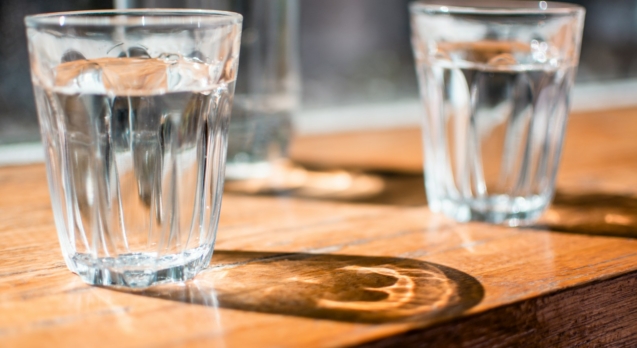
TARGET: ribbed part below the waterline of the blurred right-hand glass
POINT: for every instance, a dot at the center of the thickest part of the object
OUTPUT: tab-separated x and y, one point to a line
493	139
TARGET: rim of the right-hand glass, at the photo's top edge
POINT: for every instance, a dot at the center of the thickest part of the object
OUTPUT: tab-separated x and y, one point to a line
494	7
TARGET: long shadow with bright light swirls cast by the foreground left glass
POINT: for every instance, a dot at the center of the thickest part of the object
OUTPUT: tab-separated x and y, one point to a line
334	287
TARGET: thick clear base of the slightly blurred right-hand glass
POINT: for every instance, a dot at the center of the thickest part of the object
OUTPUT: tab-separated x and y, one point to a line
500	209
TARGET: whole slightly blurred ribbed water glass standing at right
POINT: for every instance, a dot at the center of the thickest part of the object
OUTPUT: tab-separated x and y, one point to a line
494	79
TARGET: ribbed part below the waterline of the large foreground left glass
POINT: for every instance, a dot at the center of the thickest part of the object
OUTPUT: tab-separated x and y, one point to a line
136	181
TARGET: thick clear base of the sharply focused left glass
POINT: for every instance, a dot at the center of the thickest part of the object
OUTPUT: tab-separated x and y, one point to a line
140	270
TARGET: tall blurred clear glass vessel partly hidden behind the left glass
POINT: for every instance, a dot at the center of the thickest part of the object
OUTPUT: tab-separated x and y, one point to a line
268	87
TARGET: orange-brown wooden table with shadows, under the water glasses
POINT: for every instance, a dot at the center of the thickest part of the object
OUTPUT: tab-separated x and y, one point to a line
341	258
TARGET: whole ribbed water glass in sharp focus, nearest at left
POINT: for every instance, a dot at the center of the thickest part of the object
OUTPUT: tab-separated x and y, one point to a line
134	109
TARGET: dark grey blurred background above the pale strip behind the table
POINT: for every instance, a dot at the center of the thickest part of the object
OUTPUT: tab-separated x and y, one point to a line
352	52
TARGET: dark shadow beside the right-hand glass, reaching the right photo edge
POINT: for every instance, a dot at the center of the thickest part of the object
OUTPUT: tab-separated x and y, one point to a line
597	213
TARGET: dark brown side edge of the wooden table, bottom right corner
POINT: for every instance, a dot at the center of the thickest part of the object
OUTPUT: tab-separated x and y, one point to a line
601	314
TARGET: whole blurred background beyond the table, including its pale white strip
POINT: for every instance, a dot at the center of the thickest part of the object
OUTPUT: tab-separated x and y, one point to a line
356	65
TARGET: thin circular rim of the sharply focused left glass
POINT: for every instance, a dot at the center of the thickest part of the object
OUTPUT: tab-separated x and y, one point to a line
152	18
